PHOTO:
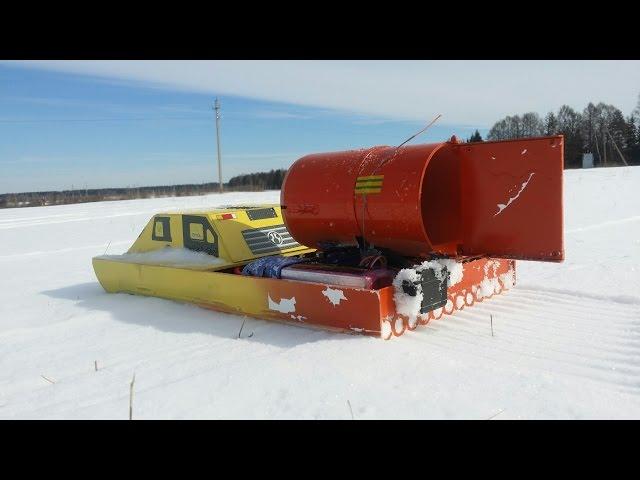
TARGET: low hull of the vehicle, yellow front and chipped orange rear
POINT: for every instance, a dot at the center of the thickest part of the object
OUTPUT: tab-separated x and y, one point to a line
337	308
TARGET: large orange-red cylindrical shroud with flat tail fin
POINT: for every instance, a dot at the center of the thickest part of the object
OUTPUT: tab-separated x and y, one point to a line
499	199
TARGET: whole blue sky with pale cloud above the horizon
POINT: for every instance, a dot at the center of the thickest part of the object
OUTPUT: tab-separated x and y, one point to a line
101	124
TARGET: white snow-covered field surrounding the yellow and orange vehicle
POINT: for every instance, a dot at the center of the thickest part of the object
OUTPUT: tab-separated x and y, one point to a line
566	340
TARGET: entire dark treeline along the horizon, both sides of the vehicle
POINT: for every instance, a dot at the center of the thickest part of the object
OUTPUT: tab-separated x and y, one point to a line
600	129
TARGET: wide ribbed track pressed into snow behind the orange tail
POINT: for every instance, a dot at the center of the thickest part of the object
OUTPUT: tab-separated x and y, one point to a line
554	333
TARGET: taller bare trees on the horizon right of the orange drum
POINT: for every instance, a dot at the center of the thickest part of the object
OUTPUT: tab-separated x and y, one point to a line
600	129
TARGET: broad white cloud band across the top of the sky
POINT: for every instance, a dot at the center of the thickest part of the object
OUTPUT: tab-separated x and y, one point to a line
466	92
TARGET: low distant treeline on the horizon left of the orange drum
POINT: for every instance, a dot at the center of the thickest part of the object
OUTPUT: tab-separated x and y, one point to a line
271	180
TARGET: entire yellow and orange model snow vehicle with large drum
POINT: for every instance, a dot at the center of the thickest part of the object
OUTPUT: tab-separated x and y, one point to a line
373	241
